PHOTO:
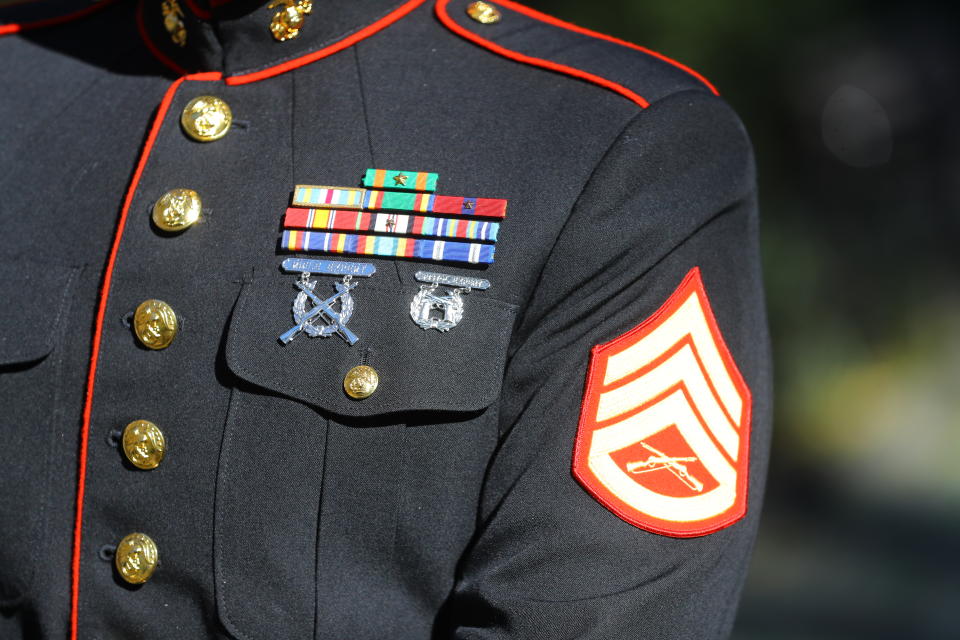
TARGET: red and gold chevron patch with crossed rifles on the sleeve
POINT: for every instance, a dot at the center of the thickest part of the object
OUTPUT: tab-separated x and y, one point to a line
664	431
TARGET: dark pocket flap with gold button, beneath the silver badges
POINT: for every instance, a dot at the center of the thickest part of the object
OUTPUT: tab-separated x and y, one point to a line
419	370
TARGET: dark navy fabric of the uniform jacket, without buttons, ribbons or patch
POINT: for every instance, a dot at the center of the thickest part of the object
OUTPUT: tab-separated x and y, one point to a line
444	505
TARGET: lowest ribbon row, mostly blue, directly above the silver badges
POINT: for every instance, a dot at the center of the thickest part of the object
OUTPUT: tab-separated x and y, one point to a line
387	246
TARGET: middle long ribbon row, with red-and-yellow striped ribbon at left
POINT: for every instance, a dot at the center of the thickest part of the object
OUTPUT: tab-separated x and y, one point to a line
399	224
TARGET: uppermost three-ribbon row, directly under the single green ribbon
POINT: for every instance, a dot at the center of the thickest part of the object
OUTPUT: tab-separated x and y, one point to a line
371	199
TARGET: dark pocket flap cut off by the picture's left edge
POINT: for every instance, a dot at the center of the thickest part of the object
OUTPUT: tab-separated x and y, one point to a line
34	298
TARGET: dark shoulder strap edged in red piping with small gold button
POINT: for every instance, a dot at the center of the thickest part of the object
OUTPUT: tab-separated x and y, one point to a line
522	34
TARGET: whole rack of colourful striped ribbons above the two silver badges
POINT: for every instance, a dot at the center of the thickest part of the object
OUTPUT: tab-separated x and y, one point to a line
385	218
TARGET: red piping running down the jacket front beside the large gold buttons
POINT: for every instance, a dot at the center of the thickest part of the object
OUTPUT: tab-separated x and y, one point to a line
95	346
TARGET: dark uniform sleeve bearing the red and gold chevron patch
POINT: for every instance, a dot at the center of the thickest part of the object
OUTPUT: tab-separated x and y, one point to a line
672	201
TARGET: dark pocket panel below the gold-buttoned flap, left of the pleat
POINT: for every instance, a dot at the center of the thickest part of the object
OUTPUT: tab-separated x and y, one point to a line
257	535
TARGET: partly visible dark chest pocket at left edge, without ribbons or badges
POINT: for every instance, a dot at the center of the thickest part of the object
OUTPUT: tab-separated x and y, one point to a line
33	316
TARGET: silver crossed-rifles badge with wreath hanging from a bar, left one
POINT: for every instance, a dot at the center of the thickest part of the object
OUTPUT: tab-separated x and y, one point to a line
317	314
